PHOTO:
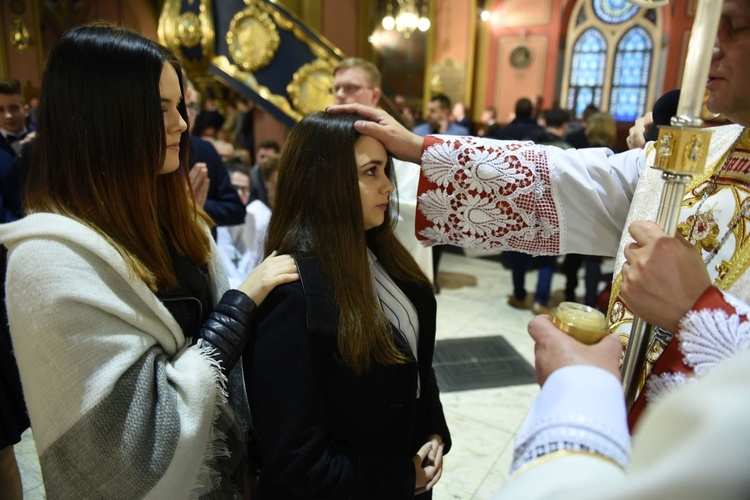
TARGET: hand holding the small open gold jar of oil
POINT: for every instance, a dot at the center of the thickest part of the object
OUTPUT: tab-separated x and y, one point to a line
554	349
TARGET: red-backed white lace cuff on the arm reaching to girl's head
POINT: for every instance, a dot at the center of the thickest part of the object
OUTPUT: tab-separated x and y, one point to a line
487	194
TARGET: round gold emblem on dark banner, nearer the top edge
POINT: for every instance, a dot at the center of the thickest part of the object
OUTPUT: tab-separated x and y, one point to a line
252	38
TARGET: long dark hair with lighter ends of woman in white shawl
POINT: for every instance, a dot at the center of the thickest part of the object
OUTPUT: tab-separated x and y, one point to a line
101	144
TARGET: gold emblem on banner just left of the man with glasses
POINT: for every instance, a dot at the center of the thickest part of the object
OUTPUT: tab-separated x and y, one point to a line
311	88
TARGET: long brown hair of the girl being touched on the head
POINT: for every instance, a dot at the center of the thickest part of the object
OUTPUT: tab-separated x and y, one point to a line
318	212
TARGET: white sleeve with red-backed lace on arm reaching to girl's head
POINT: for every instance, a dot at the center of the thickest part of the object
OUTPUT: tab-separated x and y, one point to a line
489	194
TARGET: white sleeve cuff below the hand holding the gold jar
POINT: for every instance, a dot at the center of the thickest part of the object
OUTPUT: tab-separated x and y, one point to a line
580	408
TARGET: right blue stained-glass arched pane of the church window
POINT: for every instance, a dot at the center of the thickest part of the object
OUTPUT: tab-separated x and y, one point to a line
631	74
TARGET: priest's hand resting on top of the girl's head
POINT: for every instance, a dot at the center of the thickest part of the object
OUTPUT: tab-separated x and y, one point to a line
399	141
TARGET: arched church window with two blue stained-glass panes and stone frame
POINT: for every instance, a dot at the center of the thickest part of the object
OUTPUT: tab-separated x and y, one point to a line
610	58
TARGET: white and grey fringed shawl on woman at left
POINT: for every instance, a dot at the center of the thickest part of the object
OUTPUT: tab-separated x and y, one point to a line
121	406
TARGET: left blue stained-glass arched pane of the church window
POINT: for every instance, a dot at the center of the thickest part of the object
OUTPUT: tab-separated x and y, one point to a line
587	70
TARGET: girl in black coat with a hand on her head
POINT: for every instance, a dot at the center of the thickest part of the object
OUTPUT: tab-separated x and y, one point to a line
343	396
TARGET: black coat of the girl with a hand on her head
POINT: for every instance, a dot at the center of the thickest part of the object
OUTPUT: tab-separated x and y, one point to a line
322	431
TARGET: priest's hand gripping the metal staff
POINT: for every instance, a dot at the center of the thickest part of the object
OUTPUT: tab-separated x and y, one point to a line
662	277
